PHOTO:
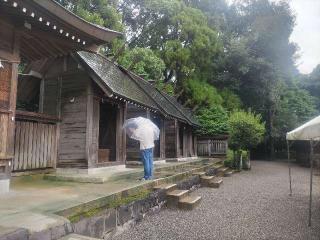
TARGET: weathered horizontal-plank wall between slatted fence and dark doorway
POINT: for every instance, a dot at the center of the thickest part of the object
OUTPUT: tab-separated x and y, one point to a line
73	126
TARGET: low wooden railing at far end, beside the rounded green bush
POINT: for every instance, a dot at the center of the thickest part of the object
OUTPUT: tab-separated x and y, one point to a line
212	147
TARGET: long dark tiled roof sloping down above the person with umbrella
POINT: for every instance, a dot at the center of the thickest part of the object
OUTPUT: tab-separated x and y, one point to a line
126	84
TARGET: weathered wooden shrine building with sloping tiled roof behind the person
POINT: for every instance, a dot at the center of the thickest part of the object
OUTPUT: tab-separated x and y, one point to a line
91	97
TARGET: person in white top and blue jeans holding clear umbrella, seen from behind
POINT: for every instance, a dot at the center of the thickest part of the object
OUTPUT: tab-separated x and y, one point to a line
146	132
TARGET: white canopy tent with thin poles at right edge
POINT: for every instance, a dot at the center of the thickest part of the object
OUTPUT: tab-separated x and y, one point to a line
309	131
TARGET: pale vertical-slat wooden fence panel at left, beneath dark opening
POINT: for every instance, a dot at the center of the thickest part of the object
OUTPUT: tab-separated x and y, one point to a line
35	146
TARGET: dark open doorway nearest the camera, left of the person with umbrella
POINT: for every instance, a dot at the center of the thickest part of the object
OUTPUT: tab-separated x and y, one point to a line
107	133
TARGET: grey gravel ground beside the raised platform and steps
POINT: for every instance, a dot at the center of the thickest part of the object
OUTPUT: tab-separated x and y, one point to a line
249	205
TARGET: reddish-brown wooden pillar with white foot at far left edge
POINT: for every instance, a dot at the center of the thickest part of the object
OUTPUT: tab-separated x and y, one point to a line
8	95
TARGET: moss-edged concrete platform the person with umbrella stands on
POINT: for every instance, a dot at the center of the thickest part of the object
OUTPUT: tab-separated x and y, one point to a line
37	205
